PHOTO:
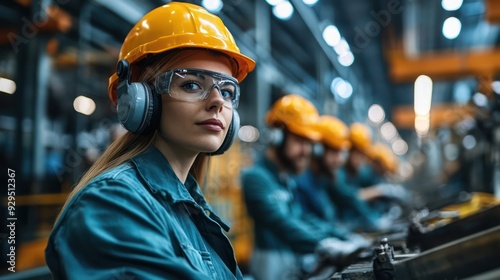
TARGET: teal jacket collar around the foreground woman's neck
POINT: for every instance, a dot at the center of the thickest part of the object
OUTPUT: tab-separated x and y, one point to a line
159	176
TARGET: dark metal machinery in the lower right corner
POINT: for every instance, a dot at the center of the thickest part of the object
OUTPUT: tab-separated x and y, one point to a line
456	241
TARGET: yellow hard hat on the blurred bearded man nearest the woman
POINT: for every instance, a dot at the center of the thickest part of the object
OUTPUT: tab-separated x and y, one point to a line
297	114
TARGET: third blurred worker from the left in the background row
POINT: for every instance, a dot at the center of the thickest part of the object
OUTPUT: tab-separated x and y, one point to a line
356	173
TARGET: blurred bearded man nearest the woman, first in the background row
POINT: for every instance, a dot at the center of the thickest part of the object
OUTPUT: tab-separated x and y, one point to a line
282	237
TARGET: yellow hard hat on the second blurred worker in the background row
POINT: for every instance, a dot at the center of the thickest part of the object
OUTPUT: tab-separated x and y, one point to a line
334	132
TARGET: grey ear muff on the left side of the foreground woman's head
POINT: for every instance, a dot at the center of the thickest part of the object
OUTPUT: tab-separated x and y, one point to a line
138	107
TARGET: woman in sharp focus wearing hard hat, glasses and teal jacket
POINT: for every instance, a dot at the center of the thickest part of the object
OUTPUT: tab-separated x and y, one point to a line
138	212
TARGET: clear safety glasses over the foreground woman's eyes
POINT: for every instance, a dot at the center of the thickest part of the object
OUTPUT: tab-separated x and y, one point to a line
193	85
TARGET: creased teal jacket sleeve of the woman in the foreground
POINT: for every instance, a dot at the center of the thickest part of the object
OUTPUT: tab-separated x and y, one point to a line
112	231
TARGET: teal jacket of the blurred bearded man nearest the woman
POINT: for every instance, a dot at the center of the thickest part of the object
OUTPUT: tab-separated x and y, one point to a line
277	214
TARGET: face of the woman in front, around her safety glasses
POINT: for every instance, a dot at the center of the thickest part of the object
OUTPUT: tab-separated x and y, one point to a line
198	126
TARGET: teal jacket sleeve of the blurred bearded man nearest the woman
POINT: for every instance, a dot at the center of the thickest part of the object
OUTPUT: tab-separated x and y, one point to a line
267	209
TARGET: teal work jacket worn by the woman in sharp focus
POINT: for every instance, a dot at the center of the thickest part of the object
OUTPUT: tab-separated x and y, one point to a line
138	221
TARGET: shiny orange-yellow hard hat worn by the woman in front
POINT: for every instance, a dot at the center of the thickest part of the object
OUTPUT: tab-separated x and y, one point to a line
179	25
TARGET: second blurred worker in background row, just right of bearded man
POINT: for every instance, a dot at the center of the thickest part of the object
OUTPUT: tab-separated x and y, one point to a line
317	185
